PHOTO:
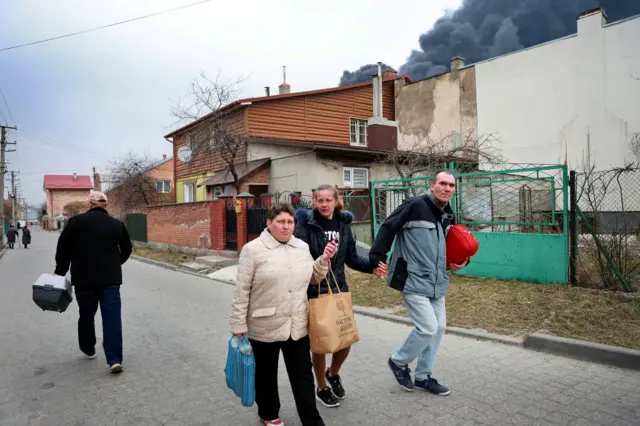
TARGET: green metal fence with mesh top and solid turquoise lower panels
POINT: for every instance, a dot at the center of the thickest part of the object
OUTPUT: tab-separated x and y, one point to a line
517	213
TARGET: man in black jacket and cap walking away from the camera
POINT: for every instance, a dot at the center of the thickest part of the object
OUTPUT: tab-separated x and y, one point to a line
96	245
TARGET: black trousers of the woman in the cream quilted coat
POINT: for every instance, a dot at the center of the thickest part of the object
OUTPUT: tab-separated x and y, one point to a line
297	359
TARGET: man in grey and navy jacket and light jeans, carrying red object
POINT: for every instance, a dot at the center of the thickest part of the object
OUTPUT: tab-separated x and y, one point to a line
418	269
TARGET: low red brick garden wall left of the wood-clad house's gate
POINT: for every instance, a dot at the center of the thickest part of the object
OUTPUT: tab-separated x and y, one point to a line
185	224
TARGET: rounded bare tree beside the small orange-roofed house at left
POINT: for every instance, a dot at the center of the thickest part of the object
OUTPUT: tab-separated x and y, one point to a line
129	182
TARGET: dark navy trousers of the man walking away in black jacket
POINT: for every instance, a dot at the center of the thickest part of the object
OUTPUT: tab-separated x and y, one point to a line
108	298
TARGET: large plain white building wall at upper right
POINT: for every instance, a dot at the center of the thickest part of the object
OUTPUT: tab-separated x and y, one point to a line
566	97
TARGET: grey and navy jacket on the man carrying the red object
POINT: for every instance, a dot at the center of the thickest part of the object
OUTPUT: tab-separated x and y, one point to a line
418	264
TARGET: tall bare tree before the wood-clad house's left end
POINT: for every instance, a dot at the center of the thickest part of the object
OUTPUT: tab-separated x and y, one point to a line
214	136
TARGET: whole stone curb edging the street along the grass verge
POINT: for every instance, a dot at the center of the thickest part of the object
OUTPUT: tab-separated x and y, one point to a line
569	348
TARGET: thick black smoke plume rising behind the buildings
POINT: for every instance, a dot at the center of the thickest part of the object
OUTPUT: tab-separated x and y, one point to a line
482	29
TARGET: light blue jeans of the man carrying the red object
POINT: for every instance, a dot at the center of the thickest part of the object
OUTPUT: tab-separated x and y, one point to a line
430	318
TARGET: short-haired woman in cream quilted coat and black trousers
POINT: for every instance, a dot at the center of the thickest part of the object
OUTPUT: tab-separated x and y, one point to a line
270	306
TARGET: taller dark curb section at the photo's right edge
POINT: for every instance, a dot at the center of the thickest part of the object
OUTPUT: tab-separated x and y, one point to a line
585	351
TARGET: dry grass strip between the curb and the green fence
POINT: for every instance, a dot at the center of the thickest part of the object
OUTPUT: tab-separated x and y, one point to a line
516	308
